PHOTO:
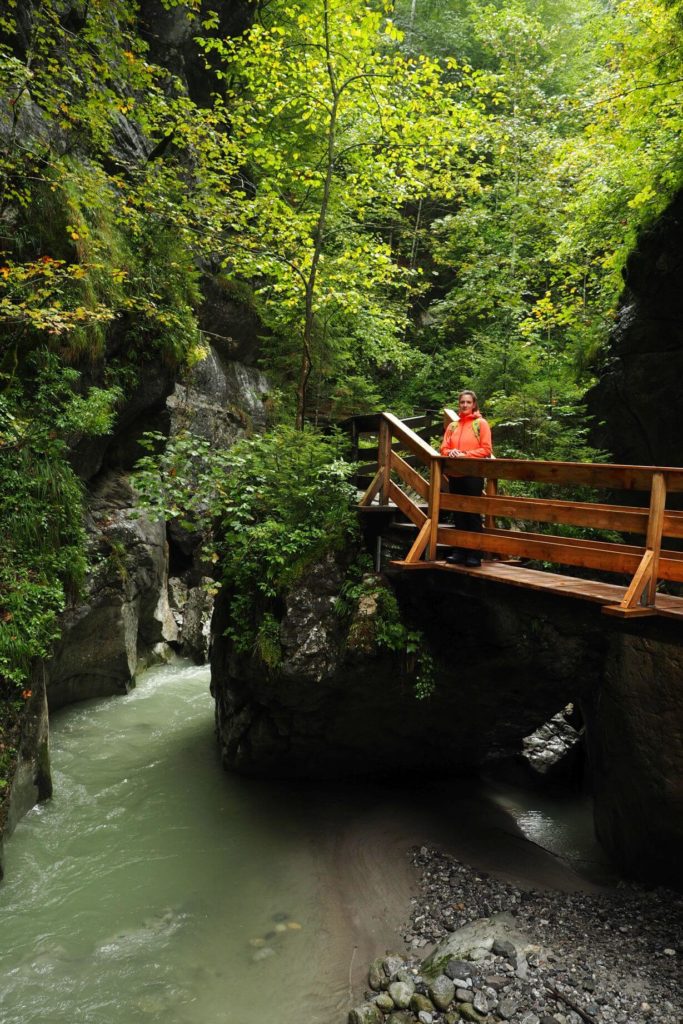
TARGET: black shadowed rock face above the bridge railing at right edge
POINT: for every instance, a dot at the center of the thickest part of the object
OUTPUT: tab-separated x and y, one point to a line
636	405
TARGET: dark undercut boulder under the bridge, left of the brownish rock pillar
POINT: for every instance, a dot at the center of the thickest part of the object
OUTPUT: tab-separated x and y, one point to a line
338	705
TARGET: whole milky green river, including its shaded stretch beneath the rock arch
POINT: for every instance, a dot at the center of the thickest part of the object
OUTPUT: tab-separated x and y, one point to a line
156	887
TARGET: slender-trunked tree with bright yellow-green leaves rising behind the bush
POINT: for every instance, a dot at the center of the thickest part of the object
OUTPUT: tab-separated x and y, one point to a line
338	133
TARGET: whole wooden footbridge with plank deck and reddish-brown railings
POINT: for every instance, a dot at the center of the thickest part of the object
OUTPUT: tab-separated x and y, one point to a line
409	481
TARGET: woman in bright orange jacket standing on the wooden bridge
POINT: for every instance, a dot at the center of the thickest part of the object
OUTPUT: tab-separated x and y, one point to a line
467	438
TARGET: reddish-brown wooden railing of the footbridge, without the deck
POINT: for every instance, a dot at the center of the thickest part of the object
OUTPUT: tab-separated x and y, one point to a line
417	491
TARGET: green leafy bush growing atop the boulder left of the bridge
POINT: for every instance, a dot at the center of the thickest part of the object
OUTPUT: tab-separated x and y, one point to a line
278	501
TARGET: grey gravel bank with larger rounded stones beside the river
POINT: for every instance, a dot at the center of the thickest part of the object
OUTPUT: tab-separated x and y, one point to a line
586	958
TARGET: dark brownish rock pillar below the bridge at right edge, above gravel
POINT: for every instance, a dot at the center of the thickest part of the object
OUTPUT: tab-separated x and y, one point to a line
635	735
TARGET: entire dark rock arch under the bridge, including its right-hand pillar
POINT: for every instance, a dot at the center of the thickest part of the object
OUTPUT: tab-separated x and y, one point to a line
505	662
